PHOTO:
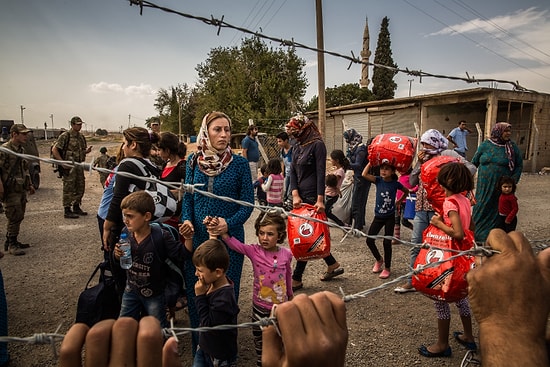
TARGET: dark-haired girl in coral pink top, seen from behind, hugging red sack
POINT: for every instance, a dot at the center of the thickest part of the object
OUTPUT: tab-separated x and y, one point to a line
455	178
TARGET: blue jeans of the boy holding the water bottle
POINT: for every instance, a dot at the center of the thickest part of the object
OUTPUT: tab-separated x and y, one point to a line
133	305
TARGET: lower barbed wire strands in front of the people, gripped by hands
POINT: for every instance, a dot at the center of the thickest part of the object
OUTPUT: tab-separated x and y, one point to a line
55	337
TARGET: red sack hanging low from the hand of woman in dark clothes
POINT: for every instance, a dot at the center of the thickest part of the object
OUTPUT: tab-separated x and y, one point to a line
308	239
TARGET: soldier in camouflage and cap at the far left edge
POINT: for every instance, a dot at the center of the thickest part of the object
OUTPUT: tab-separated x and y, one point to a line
15	183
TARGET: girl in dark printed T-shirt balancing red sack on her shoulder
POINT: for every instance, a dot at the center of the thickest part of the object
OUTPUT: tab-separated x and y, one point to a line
384	214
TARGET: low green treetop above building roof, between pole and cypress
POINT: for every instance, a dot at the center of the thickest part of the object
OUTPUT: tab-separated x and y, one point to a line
342	95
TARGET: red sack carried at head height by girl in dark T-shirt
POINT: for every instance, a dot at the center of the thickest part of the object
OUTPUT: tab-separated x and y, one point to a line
393	149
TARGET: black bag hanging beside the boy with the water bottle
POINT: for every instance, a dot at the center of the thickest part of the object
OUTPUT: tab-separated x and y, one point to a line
101	301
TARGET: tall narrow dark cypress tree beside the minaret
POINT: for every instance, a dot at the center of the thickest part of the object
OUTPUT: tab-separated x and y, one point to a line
382	79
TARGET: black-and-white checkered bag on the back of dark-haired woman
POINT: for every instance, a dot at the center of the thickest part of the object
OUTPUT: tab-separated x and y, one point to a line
166	203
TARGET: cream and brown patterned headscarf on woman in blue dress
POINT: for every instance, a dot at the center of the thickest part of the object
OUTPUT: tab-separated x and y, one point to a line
211	161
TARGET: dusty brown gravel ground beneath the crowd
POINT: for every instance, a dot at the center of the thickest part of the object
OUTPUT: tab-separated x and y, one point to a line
385	328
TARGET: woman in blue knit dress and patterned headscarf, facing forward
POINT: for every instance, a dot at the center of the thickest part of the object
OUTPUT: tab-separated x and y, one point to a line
225	174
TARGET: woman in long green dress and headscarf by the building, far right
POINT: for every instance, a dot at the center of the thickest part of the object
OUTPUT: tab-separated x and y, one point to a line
496	157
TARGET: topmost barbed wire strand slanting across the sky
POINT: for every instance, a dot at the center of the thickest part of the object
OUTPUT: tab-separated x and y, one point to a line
220	23
